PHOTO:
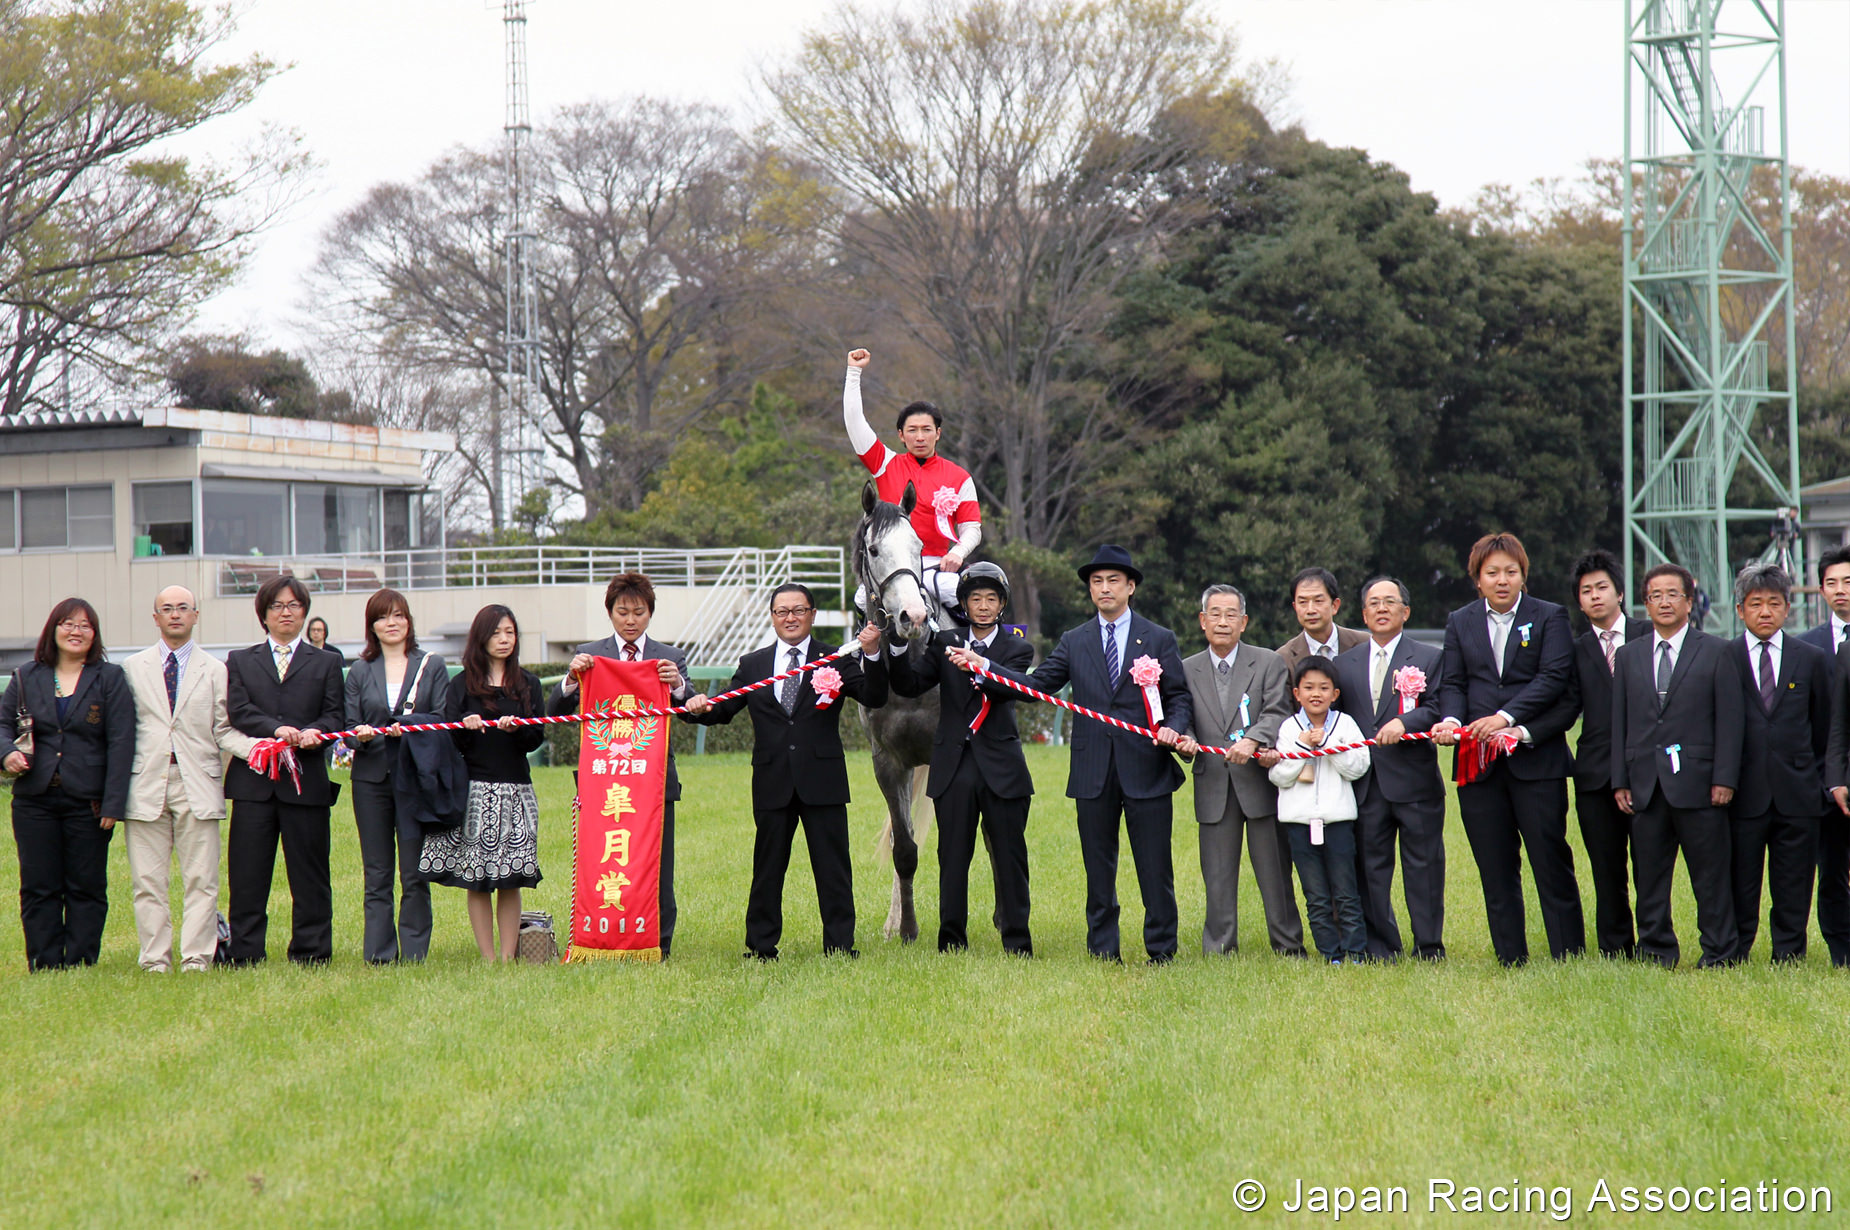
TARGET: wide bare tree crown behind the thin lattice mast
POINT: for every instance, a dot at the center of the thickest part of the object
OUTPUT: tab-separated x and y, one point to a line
658	228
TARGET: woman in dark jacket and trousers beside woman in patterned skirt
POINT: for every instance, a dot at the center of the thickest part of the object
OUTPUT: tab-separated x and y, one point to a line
393	678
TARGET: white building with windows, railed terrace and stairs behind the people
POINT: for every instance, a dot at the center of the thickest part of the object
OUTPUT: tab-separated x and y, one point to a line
116	508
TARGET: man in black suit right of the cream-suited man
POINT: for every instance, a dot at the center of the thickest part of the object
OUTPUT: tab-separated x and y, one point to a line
282	689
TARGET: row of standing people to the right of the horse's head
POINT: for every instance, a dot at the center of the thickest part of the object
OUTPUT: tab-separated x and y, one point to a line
1731	752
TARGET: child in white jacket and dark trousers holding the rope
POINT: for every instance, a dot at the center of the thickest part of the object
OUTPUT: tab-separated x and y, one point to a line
1318	811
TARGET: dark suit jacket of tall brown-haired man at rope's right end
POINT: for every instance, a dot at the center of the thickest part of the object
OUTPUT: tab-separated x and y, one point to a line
1531	687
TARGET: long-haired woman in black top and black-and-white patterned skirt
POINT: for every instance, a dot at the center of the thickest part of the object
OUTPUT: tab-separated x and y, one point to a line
499	846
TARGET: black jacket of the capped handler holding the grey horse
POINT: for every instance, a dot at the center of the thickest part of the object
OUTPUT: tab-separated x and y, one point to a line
998	744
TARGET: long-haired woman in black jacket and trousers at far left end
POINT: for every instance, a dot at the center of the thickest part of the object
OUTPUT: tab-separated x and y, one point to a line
71	787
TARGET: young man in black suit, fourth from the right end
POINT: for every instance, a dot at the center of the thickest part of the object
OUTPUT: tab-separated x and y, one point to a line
1599	585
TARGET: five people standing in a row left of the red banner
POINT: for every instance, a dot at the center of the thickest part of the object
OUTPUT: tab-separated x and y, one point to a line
160	743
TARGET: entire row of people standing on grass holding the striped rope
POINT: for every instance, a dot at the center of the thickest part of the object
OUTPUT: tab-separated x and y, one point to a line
1729	752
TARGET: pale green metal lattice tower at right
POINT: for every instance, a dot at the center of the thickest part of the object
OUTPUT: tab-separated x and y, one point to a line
1707	286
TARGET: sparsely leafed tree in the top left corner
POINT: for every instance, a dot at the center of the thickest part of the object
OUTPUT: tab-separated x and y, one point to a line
106	240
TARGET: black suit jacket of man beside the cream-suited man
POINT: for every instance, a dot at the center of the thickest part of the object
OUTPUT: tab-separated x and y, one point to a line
308	700
